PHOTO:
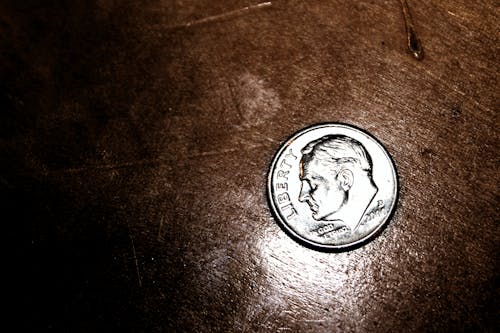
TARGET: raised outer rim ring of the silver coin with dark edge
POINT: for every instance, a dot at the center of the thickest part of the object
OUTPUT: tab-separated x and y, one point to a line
301	239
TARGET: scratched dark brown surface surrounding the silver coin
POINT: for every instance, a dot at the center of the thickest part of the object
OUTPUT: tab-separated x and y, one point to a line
137	135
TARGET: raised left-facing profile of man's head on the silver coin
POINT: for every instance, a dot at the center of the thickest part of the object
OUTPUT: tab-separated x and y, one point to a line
336	180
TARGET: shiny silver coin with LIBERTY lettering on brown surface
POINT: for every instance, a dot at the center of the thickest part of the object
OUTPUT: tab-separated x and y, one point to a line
332	186
